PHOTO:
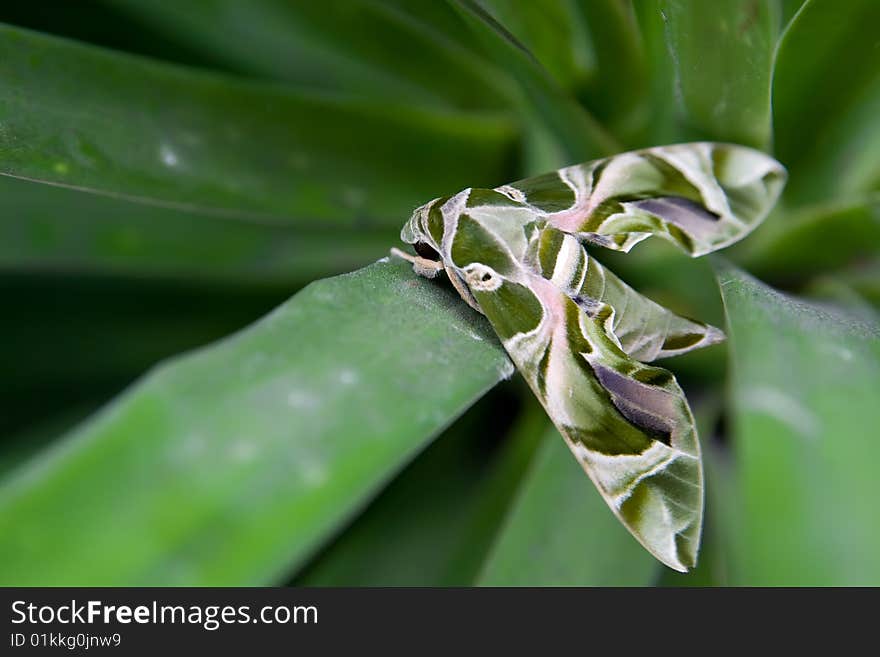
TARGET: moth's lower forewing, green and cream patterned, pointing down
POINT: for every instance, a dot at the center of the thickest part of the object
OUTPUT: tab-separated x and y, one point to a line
628	424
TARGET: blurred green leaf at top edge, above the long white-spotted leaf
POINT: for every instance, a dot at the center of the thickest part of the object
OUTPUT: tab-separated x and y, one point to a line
407	49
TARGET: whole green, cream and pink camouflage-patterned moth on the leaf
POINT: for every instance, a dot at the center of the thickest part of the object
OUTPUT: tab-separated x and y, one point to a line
581	337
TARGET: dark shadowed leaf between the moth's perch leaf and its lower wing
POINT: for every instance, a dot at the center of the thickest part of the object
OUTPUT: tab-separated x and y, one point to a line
433	525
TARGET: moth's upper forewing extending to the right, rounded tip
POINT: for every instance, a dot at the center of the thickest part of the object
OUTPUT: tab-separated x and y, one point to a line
701	196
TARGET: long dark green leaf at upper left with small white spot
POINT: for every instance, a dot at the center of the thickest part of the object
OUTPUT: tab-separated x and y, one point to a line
119	125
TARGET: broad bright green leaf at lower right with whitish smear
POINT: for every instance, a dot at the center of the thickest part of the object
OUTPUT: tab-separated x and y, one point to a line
805	412
